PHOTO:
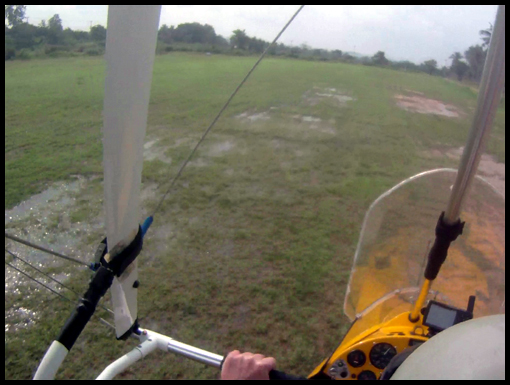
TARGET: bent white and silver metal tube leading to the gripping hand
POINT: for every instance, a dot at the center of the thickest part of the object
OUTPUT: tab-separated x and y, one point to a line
152	341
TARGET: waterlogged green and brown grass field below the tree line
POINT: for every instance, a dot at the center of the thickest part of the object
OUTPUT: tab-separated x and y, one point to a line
253	249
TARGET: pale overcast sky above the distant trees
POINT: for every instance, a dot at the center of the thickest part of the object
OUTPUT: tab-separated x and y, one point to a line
405	32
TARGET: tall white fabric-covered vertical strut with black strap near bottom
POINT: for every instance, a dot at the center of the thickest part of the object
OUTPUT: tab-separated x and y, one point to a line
130	51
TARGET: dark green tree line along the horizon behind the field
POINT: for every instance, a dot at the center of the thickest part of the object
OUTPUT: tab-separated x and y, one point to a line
24	40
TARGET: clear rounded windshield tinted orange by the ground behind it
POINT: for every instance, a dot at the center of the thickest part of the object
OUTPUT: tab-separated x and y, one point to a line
397	234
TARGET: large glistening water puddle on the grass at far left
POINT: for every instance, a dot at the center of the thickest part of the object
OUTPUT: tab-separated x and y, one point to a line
45	219
